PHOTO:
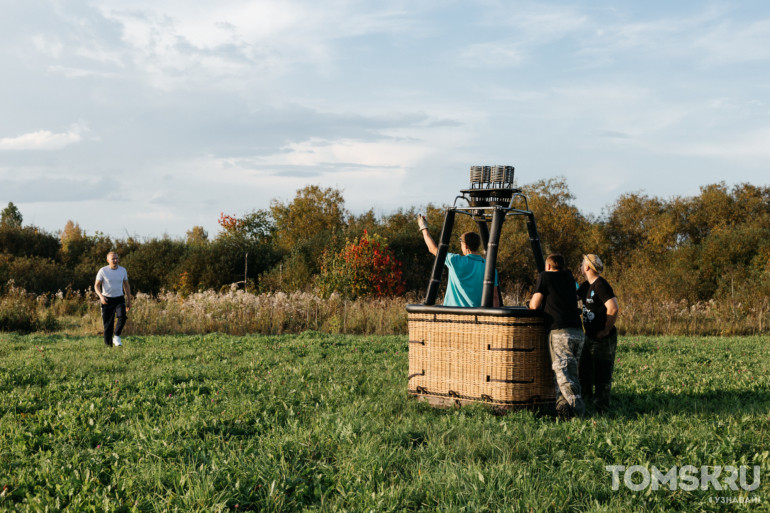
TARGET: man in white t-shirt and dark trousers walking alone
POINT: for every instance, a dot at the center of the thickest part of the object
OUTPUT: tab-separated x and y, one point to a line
115	296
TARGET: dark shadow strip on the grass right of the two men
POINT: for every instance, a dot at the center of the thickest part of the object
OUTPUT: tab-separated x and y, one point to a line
713	401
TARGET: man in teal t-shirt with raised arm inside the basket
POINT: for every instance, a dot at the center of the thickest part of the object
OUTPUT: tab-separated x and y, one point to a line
466	271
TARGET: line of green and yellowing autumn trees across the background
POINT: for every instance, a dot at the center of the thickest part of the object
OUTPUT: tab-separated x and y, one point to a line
714	246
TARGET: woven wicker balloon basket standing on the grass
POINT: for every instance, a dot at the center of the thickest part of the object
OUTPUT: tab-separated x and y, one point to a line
497	356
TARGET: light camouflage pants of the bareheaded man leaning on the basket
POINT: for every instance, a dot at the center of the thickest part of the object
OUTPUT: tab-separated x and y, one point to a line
566	346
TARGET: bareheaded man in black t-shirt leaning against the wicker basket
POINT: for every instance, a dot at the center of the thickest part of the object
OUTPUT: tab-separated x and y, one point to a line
555	294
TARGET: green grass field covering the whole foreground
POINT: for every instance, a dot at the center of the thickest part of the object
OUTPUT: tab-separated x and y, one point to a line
317	422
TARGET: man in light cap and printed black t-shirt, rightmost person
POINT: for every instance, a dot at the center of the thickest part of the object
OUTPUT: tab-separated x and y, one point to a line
600	311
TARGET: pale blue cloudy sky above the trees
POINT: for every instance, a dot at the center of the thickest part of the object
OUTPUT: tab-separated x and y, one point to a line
149	117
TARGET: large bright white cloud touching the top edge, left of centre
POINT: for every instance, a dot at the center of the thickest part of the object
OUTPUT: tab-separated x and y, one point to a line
175	44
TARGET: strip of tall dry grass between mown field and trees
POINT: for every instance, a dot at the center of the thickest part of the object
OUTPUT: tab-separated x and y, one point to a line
239	313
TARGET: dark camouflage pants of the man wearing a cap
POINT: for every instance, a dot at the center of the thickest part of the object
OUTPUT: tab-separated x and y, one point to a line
596	367
